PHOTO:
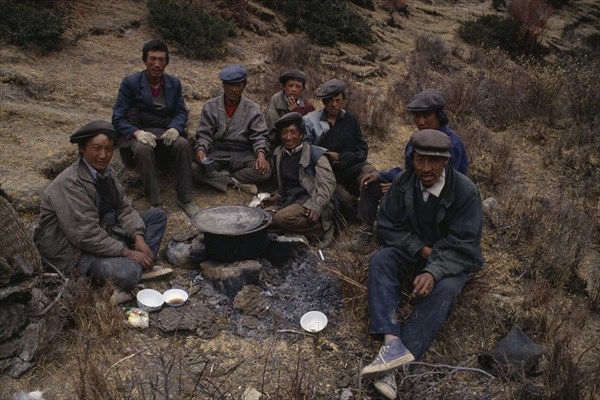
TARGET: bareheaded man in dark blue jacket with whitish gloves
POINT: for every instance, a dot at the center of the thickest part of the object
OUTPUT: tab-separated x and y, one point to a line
150	119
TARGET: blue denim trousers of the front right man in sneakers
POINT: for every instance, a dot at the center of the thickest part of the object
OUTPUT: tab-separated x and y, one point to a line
388	269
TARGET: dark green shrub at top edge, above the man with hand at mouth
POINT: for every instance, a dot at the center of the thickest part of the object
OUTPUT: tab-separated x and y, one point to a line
325	22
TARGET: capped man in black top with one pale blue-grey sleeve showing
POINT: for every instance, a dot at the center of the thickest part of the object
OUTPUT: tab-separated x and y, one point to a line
339	132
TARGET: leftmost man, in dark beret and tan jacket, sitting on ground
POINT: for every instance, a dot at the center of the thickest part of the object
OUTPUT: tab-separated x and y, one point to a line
88	224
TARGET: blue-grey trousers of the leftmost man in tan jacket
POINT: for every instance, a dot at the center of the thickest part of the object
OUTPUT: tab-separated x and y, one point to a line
124	272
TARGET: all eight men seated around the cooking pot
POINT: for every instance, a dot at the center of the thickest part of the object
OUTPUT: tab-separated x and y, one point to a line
429	218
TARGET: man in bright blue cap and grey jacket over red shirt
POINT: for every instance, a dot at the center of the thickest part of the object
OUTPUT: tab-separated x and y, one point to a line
233	133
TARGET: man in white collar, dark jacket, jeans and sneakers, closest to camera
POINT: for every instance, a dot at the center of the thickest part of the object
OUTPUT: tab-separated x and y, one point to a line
430	224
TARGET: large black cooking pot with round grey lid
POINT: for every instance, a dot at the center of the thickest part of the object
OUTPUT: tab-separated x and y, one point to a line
233	233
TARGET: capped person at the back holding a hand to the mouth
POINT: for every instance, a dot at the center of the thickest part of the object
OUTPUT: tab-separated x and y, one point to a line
289	99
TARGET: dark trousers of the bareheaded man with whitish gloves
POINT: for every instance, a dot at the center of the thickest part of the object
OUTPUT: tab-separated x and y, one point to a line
145	160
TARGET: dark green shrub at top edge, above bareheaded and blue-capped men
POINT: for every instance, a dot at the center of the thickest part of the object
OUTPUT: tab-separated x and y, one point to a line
199	34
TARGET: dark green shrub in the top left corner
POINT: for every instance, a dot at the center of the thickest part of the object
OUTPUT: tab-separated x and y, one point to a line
31	27
